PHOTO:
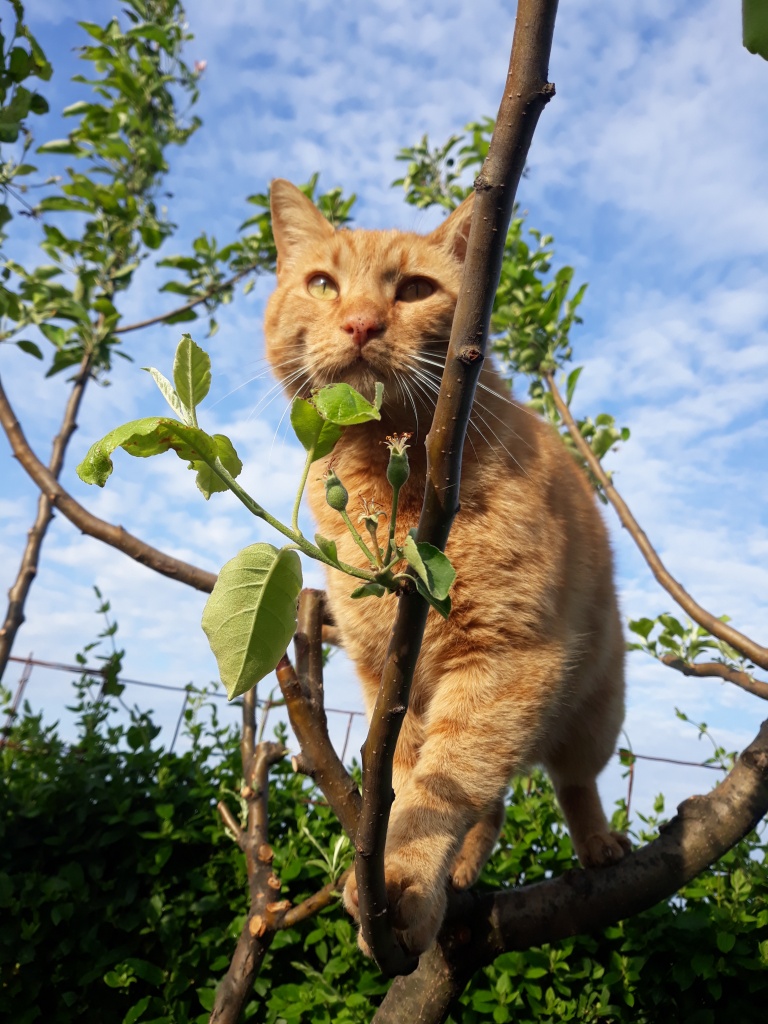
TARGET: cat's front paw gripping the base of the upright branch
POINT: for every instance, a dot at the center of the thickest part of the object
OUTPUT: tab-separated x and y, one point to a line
416	908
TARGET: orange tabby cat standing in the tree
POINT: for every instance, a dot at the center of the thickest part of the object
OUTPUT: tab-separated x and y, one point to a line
530	667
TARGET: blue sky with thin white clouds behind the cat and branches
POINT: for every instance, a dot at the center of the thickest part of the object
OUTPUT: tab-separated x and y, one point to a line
649	168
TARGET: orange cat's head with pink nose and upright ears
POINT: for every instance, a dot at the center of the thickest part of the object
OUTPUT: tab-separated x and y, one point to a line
361	307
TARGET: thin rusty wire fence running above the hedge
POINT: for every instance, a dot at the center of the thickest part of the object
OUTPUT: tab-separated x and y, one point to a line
628	757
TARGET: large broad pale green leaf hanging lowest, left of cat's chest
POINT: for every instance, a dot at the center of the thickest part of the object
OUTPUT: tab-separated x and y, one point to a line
250	618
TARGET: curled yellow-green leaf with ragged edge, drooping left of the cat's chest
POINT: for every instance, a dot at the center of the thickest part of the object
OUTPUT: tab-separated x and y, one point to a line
144	439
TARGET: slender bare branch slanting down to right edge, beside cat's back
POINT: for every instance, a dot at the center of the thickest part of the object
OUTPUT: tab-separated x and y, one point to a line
721	630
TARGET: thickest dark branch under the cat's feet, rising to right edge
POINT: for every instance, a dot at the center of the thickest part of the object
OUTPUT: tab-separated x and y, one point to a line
484	926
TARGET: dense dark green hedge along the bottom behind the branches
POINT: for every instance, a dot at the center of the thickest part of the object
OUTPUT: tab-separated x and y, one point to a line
121	899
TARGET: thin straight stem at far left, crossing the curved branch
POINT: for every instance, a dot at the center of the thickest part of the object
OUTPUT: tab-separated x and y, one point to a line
28	569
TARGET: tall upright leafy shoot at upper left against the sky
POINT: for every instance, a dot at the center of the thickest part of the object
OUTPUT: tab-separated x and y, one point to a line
102	220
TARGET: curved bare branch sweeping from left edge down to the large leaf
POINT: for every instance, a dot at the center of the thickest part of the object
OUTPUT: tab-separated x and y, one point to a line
116	537
